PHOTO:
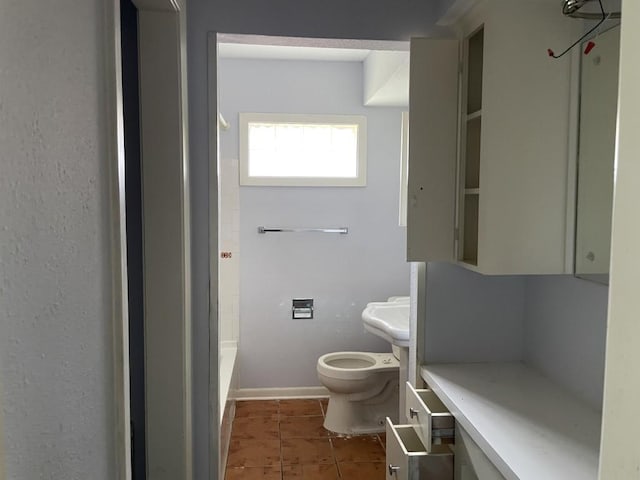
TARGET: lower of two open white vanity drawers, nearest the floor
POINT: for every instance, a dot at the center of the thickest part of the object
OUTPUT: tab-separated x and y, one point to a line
407	458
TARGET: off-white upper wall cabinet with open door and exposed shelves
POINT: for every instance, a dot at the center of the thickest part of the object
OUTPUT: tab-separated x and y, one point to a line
489	141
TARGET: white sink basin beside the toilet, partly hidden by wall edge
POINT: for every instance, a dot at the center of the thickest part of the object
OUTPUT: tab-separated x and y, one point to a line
388	320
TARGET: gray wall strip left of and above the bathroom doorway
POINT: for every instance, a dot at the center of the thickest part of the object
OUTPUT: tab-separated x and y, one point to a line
370	19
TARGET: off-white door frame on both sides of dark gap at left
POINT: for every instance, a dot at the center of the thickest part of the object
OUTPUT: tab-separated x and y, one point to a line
167	261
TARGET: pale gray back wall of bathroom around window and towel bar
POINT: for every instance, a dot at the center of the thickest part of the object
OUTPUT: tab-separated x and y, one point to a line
341	272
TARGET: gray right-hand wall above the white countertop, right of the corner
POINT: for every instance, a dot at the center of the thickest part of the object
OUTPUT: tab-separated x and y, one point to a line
565	333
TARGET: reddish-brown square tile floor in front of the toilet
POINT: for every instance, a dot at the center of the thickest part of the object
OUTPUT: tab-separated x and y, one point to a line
285	439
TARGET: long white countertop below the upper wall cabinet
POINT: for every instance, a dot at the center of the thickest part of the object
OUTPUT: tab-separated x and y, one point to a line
528	426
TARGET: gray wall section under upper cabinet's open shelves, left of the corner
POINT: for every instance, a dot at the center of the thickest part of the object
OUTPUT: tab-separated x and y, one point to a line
473	317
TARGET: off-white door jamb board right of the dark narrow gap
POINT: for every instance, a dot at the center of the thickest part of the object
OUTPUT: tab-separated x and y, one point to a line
167	294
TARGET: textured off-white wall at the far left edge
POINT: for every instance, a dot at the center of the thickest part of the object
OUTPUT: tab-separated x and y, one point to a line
55	328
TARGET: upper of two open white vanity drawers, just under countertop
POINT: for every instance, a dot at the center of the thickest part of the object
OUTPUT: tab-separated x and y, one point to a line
431	419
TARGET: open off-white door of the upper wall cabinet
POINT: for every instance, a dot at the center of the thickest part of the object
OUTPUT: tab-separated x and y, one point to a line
433	119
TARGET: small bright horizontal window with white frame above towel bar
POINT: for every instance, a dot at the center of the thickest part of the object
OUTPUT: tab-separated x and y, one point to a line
302	150
